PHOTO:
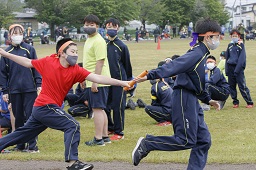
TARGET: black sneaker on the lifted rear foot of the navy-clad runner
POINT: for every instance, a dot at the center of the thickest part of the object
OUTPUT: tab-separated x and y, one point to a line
139	152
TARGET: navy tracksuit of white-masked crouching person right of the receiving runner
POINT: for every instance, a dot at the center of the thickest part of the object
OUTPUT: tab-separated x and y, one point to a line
217	86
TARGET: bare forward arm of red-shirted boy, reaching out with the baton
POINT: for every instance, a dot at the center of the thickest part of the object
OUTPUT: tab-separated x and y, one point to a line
106	80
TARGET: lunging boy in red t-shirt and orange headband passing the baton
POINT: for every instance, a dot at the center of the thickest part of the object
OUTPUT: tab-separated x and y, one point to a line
59	71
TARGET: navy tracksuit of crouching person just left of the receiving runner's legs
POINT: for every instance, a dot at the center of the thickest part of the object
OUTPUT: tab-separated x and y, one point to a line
160	108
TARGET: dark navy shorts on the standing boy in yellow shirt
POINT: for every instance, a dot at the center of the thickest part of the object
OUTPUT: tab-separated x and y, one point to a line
99	99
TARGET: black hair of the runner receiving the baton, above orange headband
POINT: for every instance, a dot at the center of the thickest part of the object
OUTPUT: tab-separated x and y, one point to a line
205	25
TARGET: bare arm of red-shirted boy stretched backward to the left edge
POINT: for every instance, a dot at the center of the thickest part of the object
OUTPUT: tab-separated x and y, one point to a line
18	59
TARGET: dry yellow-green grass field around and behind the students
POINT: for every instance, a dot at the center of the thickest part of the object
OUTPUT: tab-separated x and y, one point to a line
232	130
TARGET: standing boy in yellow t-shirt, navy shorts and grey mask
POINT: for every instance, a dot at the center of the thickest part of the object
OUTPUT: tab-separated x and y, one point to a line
96	61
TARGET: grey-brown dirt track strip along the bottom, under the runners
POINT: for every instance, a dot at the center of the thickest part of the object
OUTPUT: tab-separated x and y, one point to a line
54	165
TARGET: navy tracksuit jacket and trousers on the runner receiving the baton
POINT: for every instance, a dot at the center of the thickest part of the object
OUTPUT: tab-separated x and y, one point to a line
190	130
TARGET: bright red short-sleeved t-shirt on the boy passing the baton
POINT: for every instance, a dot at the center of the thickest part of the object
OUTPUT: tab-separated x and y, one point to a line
56	79
